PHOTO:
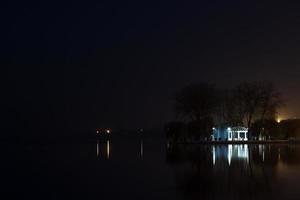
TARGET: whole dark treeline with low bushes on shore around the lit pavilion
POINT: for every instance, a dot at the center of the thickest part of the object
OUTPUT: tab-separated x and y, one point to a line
201	106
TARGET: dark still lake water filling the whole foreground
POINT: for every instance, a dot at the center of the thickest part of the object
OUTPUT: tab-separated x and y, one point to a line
136	169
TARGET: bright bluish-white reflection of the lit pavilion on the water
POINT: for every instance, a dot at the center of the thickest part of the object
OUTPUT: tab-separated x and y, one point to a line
230	152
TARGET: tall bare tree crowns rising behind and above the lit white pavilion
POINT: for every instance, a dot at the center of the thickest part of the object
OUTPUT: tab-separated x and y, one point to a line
203	106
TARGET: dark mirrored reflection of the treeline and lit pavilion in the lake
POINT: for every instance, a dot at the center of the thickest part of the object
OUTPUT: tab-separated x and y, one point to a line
207	172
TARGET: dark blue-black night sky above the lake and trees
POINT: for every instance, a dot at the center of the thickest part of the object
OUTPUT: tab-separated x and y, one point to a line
76	65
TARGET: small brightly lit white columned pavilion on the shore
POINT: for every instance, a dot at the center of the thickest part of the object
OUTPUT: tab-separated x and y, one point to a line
230	134
